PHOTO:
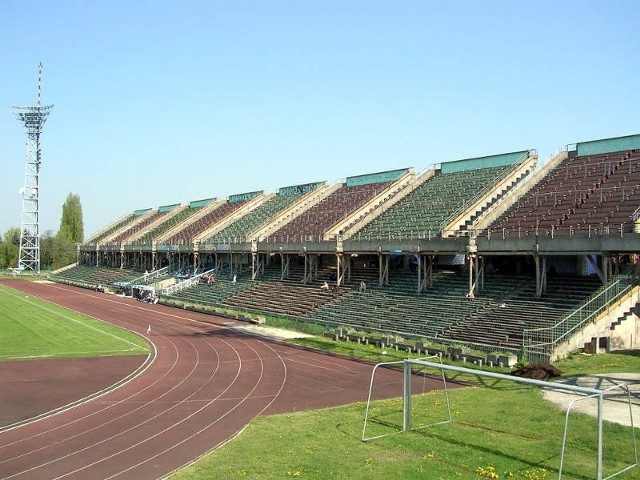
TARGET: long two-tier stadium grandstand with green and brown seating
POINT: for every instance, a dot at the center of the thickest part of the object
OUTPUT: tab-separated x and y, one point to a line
495	253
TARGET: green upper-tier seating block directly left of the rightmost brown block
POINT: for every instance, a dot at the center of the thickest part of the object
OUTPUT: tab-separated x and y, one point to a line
427	209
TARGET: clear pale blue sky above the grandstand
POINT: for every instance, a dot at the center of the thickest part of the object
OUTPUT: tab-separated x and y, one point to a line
162	102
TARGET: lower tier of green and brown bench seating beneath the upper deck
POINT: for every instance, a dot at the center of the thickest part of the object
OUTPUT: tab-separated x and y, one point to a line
496	319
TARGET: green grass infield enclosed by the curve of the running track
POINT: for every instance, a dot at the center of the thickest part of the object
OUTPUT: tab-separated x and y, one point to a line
32	328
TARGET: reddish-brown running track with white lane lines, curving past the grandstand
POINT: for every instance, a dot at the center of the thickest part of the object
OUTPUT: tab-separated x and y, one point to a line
204	384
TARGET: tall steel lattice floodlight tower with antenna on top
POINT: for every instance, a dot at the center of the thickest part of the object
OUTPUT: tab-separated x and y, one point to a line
33	119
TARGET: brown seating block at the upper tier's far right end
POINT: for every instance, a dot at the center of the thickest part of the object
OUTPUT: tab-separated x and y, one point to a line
593	193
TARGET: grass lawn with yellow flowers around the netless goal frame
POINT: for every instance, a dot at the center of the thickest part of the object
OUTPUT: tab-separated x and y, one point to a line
500	430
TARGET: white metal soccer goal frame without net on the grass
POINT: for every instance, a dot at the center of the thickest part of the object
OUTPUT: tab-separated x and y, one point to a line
599	395
